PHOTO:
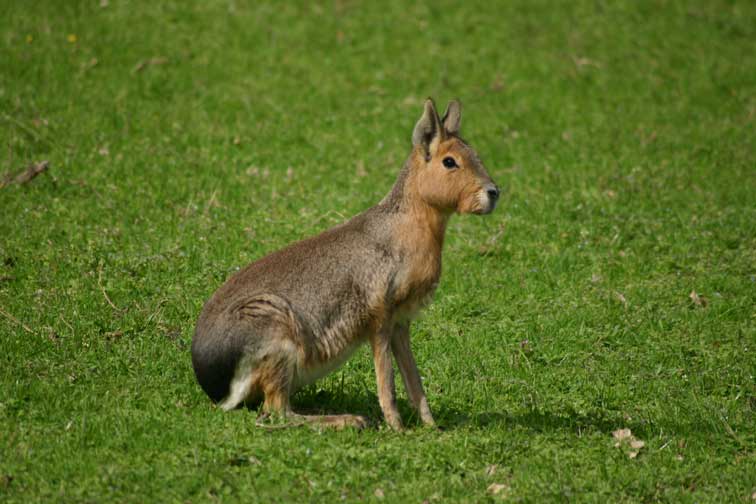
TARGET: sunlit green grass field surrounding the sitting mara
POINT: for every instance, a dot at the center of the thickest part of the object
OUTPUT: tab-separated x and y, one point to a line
186	139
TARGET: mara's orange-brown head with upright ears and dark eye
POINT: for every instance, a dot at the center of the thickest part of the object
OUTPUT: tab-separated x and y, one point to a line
448	173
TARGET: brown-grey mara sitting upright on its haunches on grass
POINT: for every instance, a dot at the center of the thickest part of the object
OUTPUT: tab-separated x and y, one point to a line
296	314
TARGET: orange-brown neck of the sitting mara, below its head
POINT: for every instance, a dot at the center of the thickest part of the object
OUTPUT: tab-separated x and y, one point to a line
420	227
